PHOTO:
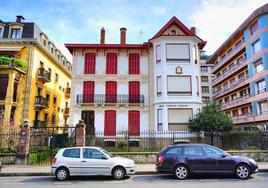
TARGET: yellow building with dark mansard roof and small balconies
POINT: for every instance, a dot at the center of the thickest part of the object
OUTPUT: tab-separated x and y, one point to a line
35	77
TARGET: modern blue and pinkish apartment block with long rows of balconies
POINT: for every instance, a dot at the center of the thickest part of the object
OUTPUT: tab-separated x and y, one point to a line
241	72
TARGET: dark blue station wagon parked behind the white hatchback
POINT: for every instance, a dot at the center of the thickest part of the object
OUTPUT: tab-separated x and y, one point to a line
185	159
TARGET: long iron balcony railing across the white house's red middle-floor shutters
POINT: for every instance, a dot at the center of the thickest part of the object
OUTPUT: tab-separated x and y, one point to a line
109	99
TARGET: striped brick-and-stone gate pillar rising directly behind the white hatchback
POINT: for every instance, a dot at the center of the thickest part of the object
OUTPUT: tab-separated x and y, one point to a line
80	134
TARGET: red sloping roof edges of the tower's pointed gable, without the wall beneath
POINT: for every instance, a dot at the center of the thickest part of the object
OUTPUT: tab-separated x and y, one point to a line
181	26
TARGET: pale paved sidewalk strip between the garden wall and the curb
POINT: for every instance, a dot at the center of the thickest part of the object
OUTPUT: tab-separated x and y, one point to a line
29	170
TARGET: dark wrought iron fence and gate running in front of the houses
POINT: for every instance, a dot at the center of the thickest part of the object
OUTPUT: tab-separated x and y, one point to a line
52	138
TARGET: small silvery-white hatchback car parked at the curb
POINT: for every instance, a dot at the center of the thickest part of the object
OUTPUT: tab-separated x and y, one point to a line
90	161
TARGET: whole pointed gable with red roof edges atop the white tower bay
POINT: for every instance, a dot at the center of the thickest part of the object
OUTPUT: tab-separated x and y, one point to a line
175	27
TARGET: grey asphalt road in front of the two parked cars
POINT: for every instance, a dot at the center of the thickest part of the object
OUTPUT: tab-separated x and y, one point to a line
259	180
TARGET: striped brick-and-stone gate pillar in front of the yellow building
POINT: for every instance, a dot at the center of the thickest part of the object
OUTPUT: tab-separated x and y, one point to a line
23	151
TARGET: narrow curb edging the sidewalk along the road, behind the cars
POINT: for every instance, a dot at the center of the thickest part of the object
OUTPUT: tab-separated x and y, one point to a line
49	174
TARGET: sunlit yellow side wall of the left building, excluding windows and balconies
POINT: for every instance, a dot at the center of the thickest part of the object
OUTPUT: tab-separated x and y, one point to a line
54	88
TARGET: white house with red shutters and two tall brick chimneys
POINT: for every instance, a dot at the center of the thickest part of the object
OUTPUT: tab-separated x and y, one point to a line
137	87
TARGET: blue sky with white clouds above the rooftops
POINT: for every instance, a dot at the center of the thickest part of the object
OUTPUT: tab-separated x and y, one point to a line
80	21
